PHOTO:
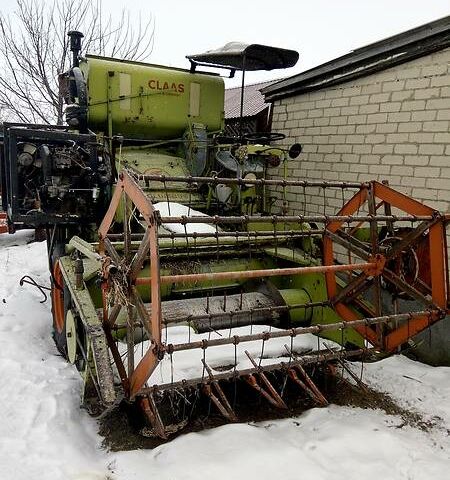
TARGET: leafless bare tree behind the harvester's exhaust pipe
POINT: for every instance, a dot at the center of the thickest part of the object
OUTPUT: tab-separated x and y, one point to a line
34	50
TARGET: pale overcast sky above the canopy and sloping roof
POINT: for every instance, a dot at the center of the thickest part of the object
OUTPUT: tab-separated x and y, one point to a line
319	29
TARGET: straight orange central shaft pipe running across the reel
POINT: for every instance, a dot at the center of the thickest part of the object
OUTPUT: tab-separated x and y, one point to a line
246	274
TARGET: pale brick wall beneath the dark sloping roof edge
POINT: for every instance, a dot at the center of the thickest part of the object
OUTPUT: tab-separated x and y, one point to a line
393	125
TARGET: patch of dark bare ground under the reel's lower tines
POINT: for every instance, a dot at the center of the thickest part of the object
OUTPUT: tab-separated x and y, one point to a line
124	427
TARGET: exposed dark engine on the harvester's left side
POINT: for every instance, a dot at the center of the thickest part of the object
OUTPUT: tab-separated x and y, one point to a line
53	175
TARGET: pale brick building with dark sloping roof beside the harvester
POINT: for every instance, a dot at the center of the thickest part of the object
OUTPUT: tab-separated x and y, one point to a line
381	112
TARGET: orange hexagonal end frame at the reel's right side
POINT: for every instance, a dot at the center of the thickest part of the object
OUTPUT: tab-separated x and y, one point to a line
438	262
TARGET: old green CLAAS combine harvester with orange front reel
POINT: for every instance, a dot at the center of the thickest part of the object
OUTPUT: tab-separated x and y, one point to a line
180	279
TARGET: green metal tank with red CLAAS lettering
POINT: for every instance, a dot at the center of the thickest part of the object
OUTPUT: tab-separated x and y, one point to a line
146	101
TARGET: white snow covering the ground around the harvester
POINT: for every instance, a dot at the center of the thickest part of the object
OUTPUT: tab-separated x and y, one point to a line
45	436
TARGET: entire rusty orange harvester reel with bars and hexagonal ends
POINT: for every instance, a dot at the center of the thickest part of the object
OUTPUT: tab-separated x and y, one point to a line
375	327
